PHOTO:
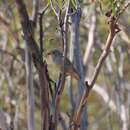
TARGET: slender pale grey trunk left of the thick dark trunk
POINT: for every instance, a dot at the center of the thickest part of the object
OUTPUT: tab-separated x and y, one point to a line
30	90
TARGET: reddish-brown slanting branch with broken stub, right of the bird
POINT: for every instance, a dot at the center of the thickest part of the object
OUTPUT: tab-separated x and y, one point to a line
113	29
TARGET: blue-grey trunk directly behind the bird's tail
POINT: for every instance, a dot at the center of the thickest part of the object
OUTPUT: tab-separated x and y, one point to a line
76	54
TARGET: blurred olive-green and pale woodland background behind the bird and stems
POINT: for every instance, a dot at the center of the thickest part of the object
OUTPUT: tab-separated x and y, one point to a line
108	103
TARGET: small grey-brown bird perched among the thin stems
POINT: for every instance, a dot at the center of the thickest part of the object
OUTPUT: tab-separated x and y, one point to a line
58	59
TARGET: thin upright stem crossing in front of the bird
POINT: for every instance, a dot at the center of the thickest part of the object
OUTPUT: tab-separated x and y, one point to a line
60	86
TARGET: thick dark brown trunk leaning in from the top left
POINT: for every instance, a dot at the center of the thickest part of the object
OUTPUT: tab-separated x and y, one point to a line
38	61
